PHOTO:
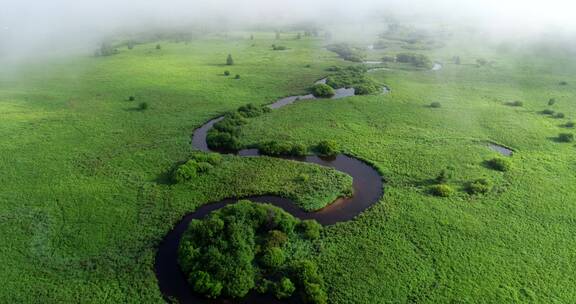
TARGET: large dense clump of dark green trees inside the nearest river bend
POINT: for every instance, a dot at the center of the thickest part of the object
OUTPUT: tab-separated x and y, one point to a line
237	249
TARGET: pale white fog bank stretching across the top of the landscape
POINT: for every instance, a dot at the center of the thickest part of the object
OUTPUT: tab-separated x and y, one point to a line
37	27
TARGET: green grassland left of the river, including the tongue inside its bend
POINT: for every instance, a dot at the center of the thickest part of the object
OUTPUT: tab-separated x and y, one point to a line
83	203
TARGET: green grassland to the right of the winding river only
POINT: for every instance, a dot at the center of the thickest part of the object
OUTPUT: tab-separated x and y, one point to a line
513	244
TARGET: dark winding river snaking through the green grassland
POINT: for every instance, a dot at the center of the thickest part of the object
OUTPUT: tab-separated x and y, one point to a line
367	187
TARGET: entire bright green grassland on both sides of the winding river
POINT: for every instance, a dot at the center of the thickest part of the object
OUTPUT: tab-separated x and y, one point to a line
84	202
